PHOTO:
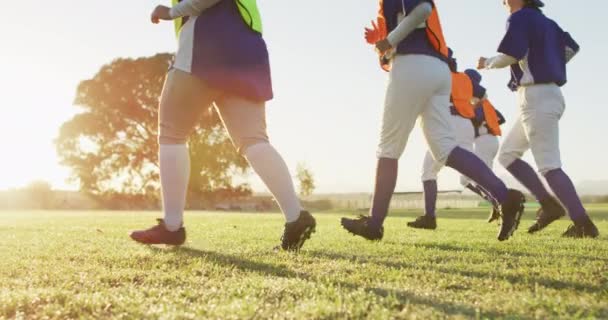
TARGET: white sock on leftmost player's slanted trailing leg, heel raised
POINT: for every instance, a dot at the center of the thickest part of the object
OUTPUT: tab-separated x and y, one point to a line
269	165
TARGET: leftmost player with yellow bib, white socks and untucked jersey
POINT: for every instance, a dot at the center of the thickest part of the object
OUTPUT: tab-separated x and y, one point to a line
229	69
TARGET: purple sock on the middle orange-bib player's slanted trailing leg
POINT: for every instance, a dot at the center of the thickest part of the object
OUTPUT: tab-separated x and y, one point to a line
471	166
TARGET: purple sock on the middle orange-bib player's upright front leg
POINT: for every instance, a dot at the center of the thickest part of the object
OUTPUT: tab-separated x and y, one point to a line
386	180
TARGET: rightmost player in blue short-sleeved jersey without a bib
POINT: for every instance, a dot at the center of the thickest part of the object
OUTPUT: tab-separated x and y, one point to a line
537	51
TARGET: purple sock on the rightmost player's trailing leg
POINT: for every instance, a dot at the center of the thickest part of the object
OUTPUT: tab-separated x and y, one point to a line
565	191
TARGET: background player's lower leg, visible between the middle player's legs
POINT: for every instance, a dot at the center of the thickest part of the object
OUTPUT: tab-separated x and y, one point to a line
430	169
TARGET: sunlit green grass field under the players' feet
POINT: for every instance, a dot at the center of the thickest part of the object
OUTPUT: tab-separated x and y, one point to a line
83	265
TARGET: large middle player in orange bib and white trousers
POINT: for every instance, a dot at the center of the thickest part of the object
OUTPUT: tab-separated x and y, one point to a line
410	41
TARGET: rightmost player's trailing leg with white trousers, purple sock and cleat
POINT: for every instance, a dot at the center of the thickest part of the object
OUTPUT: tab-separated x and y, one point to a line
541	114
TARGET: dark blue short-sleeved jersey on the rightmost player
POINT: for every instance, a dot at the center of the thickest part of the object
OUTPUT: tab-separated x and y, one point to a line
540	45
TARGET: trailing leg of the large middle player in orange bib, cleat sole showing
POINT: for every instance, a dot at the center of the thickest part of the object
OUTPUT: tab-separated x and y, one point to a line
439	135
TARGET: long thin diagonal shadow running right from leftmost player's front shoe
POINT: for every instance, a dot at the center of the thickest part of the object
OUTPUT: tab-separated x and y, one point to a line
404	297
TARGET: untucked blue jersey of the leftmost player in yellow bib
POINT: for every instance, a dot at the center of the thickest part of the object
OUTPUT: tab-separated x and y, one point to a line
229	55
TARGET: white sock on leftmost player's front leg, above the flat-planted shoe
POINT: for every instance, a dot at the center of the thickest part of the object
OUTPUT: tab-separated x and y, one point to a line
174	176
